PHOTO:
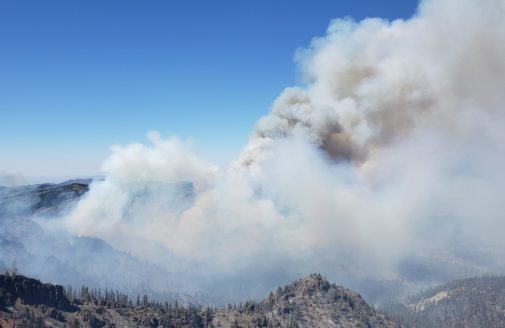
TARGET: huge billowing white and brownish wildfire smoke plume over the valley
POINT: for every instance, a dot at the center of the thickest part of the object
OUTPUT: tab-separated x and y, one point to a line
388	159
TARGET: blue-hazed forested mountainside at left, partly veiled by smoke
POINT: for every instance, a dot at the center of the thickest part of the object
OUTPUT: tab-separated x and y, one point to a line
58	256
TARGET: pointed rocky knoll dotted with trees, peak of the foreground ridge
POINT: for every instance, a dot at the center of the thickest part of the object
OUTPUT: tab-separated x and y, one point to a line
308	302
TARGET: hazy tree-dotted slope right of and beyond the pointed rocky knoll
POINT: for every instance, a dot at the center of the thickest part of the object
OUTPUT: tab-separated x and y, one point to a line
472	302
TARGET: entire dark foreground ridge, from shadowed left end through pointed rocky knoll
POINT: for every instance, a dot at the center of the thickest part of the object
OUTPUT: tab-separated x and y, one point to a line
308	302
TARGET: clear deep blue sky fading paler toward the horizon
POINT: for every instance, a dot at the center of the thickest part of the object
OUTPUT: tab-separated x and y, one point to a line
78	76
